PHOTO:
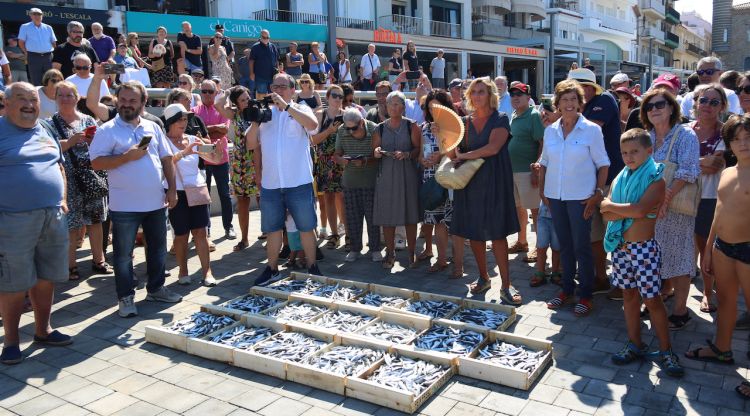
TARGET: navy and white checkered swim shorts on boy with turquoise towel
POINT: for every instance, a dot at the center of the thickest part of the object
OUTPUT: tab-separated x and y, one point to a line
637	266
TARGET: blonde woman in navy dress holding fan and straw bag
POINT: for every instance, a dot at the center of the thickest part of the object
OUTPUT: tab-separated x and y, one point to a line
485	209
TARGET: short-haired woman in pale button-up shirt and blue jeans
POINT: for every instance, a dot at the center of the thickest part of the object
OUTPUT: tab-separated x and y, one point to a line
574	167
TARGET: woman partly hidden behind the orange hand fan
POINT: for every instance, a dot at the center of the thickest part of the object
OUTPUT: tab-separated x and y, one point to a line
439	218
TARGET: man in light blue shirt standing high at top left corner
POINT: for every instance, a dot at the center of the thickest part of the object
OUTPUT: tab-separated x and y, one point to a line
37	40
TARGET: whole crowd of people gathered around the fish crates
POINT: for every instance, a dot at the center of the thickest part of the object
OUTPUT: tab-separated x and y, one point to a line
658	179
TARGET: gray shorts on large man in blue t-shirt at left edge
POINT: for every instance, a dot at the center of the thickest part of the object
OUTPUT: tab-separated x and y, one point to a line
33	245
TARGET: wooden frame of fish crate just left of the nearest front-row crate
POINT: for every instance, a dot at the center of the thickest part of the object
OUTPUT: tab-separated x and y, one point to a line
327	380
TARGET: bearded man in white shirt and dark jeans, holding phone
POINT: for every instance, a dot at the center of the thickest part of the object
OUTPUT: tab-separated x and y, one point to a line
140	169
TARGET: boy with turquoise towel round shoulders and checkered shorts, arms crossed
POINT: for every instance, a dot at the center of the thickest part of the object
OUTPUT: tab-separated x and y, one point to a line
636	194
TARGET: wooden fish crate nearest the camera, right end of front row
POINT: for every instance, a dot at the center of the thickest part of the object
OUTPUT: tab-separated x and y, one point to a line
369	391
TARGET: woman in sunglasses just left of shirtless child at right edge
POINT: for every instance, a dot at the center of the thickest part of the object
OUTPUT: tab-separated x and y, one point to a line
710	103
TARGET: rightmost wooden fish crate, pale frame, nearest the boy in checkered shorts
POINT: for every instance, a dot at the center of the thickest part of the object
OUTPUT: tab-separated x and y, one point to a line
485	370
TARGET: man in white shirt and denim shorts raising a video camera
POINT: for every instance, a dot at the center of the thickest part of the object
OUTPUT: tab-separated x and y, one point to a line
286	174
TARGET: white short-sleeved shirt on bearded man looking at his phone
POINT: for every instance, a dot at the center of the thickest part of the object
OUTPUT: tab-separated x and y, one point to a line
136	186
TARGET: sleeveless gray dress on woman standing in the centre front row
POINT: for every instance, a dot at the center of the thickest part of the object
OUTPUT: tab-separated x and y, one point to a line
397	184
